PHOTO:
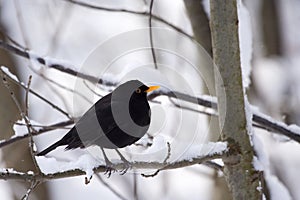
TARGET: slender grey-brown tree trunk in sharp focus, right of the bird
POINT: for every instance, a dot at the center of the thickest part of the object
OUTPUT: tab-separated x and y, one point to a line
239	172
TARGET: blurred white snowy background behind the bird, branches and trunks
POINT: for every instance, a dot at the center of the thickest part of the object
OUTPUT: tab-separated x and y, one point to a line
106	44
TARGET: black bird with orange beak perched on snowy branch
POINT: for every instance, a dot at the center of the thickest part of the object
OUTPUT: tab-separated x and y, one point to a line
117	120
